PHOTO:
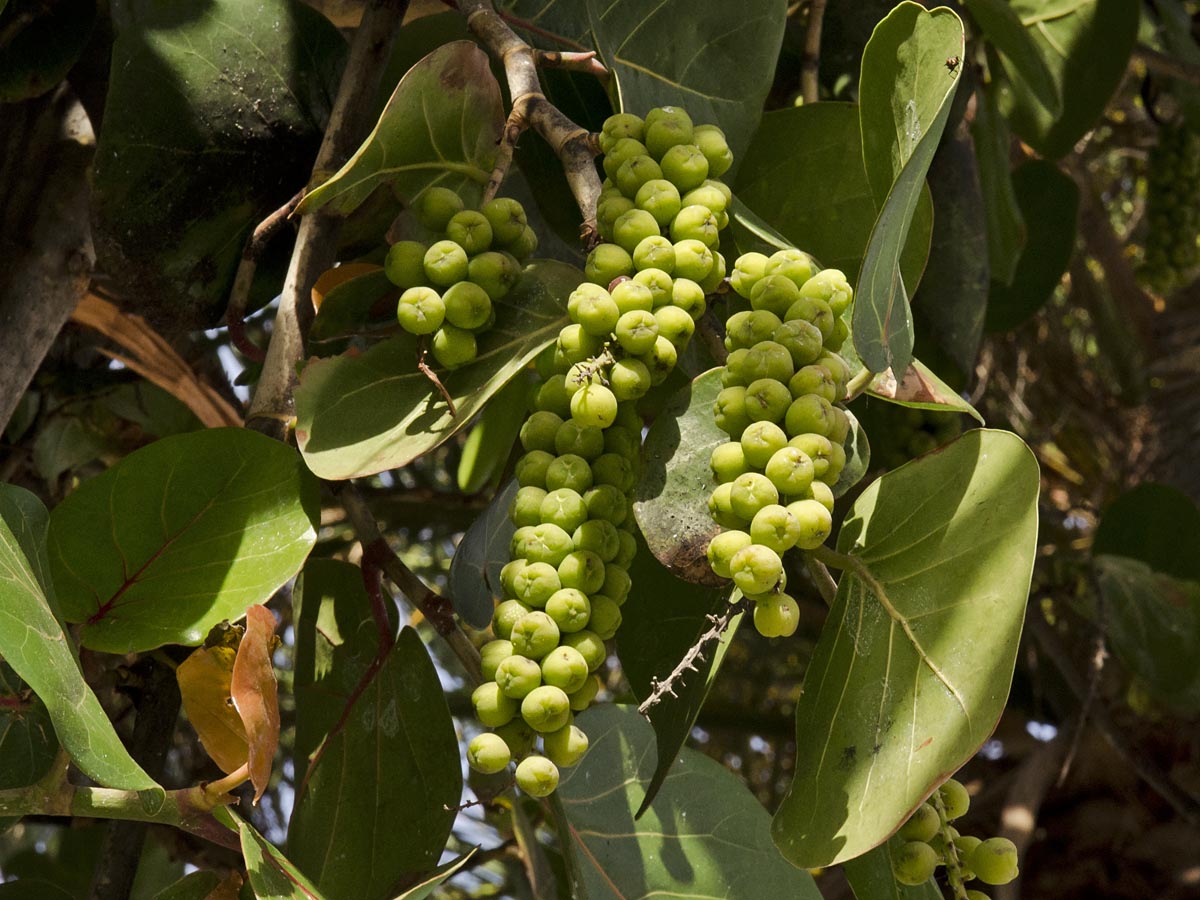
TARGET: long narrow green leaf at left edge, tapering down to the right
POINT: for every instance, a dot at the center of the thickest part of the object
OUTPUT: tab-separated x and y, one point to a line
34	644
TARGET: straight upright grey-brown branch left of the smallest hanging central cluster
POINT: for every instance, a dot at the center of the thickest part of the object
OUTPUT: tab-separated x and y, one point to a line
316	248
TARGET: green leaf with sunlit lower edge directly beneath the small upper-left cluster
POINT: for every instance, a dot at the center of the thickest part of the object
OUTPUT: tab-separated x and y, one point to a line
358	416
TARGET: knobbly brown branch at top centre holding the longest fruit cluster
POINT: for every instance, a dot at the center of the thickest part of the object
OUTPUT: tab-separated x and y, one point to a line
571	142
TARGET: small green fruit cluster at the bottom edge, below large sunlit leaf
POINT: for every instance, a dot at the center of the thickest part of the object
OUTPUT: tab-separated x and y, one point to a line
914	862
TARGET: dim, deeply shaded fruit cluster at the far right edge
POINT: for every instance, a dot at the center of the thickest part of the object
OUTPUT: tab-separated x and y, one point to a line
1173	209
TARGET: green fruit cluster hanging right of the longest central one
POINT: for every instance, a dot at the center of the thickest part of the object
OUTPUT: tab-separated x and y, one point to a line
779	405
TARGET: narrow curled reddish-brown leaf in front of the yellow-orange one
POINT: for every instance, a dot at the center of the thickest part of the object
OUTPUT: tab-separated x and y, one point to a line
256	695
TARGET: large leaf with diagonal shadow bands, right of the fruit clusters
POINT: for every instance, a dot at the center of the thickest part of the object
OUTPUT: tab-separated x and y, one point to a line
915	662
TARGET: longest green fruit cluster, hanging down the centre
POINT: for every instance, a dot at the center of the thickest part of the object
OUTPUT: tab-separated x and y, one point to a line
574	541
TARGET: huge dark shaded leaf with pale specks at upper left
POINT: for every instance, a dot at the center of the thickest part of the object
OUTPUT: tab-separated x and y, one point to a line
213	118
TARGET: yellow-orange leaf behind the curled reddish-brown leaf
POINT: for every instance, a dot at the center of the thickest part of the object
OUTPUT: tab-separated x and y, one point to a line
205	681
